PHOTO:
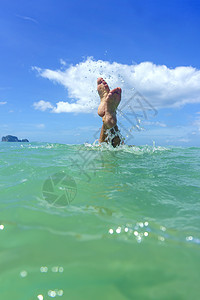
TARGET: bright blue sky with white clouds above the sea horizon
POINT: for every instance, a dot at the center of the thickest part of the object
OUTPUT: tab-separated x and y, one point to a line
52	52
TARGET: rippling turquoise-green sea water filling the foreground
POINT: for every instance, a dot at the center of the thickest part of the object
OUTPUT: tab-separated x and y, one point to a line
90	222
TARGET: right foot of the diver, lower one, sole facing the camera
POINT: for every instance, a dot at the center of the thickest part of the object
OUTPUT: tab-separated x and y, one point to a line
110	105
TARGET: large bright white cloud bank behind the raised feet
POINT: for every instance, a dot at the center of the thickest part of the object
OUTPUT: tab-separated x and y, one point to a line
161	86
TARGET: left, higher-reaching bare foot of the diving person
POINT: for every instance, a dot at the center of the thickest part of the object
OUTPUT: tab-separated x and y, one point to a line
103	90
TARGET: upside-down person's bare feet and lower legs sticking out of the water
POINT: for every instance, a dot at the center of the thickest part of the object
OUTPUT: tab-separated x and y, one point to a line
107	111
